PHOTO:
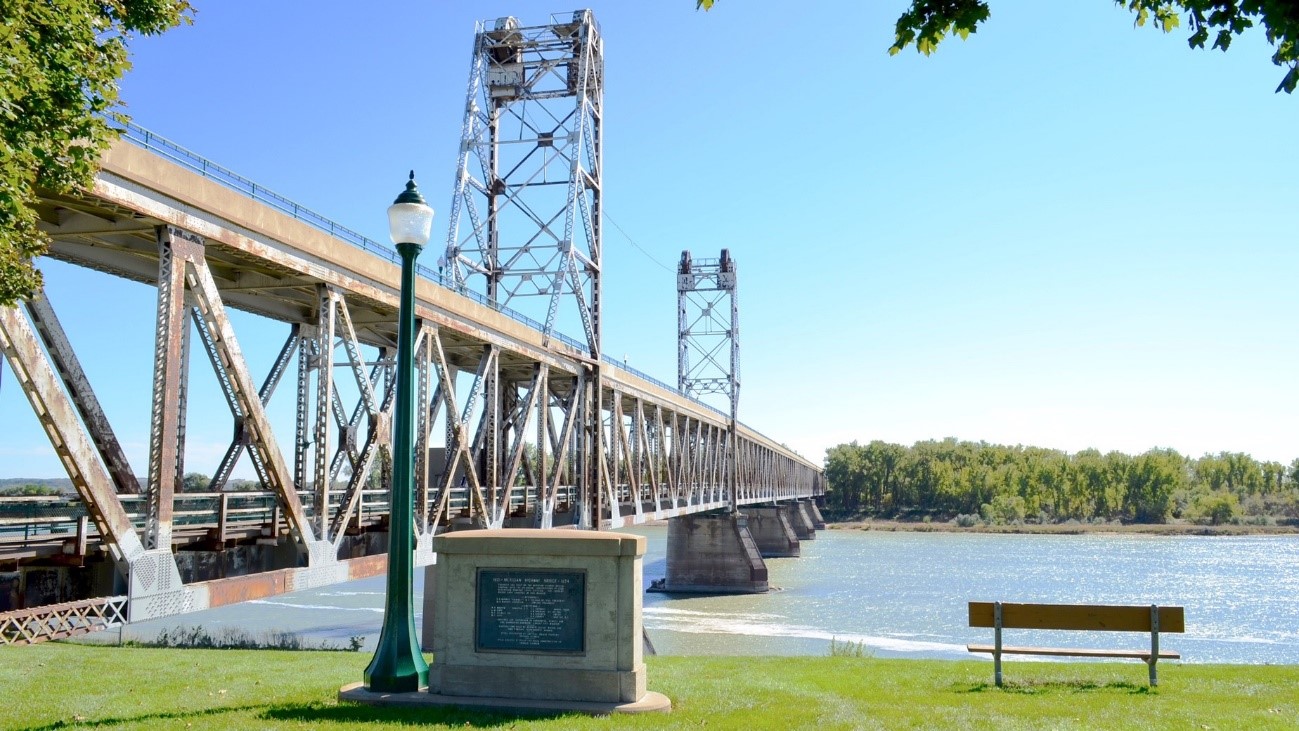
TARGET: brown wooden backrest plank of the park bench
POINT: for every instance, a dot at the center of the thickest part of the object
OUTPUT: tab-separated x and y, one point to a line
1078	617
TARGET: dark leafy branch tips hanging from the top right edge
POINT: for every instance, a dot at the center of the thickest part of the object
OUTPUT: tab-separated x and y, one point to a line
927	23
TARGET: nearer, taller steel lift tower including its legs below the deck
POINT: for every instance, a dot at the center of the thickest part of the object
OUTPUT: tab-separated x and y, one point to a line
525	229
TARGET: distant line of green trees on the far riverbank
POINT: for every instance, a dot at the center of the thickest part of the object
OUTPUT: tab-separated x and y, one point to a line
970	481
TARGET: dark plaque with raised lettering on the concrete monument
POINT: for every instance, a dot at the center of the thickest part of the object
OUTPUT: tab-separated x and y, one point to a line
532	611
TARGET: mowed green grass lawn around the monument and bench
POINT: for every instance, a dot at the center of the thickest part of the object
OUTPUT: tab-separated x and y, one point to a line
66	686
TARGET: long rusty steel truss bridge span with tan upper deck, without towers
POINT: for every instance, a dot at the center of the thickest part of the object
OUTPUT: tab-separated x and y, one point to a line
611	446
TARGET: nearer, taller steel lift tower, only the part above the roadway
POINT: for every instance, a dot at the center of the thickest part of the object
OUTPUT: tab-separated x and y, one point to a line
525	216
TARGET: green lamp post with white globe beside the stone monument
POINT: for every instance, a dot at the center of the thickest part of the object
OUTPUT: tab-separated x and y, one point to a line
398	665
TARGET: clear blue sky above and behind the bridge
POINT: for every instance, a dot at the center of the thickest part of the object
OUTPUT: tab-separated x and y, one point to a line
1065	232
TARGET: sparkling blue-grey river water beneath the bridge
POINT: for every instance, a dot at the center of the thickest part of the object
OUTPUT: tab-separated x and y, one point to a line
905	595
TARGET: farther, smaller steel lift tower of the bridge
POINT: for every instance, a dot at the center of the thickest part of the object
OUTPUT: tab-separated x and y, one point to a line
709	337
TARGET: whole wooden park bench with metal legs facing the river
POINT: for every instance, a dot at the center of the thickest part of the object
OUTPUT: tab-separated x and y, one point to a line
1153	620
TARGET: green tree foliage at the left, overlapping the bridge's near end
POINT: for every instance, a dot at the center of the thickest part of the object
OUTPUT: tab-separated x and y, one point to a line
60	62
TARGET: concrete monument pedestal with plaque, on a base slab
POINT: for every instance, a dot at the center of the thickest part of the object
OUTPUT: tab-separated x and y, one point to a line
540	621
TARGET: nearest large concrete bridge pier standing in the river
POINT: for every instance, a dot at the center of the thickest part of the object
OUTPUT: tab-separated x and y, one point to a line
714	554
